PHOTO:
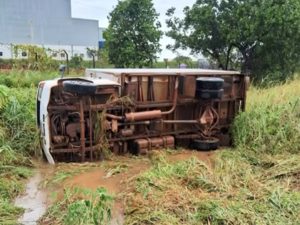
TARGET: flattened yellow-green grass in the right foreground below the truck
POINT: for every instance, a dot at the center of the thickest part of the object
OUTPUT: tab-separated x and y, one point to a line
232	192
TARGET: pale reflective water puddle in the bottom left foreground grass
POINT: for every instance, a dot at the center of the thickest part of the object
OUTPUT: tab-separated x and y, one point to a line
34	200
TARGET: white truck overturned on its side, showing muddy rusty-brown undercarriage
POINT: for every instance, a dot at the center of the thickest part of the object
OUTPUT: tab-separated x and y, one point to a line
137	110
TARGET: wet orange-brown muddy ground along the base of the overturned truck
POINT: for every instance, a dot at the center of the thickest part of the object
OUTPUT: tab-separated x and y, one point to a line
48	182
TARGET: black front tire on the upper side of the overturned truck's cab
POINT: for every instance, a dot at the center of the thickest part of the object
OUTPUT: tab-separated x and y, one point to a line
79	87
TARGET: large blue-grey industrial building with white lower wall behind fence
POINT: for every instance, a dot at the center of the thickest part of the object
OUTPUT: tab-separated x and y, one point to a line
46	23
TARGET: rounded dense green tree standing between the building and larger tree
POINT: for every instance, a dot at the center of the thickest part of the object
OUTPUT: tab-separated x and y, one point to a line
133	34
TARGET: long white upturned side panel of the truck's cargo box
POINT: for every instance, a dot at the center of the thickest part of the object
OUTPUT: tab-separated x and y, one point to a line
163	71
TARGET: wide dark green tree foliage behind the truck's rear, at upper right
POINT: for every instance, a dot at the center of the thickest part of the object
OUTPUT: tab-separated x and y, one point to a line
262	35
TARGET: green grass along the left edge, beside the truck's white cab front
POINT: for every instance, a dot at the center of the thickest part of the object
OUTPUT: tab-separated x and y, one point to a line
18	138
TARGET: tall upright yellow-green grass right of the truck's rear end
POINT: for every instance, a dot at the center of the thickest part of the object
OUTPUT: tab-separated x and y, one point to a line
271	123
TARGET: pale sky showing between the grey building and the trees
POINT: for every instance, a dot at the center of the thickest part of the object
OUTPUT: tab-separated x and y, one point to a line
99	10
